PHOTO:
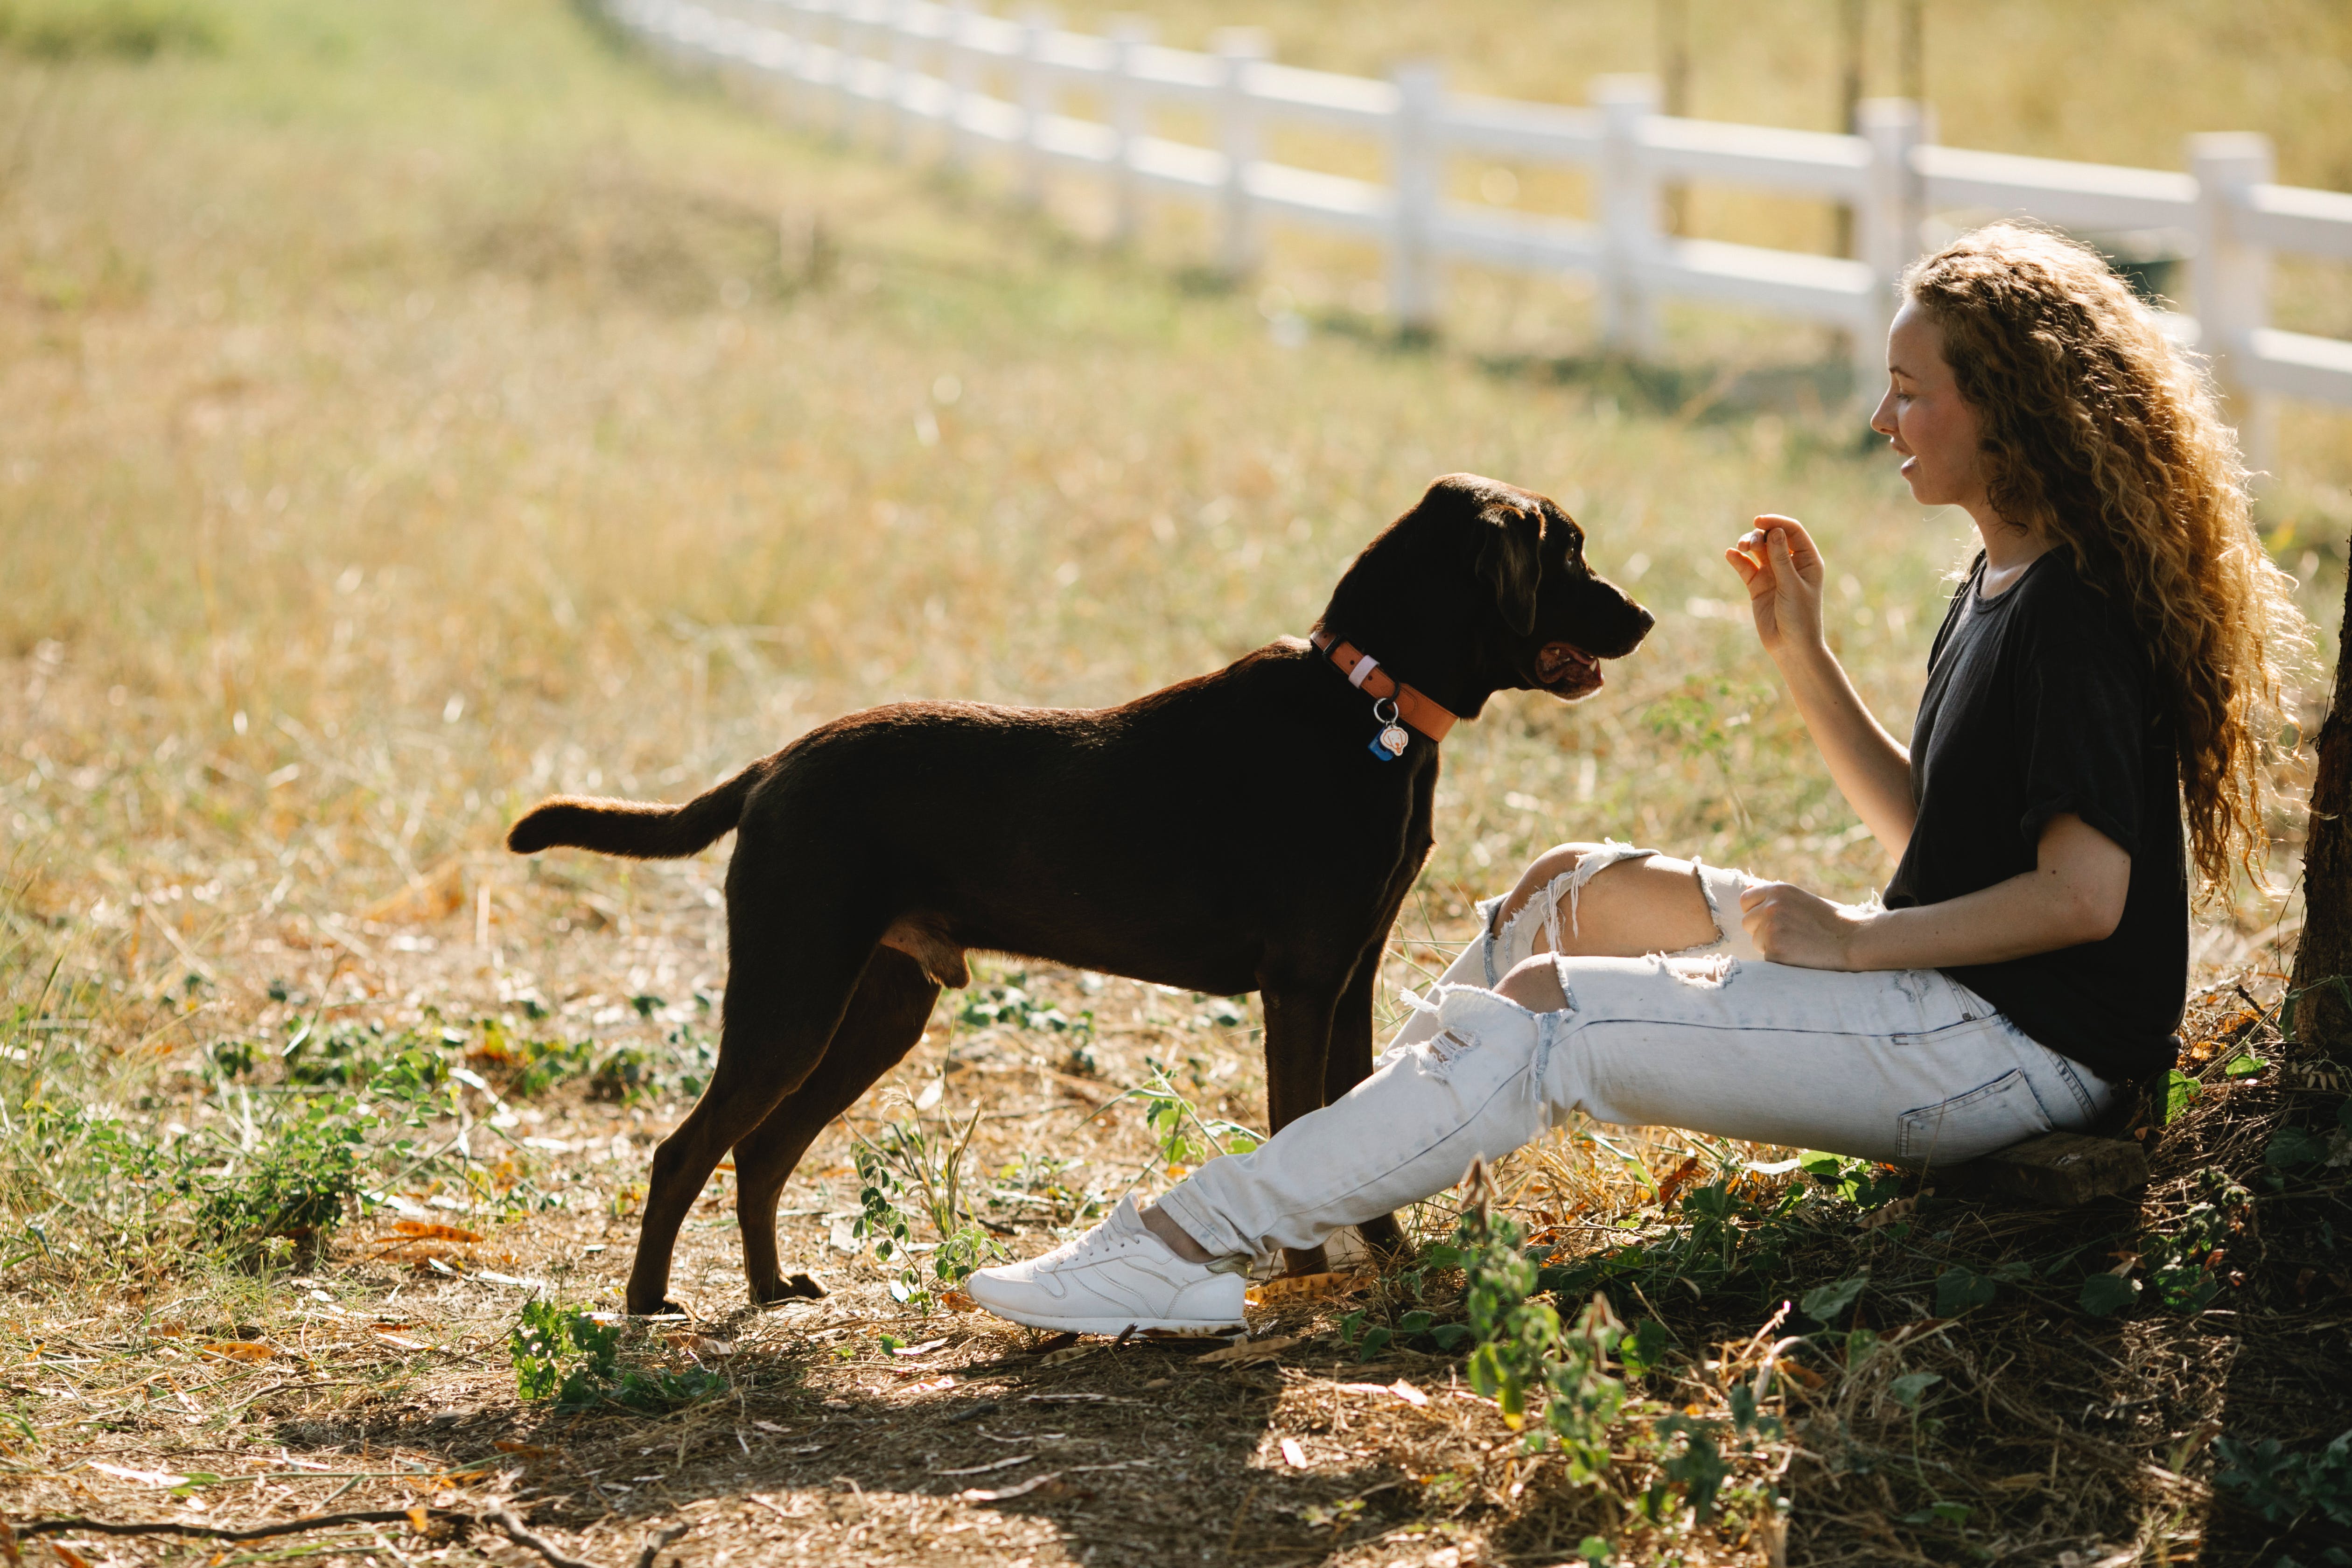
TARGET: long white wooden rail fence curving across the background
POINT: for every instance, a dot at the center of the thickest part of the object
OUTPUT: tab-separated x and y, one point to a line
918	62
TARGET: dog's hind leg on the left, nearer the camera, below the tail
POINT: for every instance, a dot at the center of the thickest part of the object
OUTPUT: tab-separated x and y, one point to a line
782	1014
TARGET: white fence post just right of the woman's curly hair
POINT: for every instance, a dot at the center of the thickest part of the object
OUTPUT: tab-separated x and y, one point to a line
2233	281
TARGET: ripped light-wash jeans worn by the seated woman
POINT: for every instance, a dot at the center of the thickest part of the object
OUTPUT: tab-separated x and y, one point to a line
1904	1066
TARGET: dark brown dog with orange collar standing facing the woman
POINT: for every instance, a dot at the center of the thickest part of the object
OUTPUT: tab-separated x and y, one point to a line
1238	831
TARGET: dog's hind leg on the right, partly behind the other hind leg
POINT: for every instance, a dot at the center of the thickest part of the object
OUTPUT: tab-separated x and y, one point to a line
883	1024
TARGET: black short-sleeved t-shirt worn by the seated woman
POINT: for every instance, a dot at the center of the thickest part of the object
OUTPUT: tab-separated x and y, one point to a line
2043	702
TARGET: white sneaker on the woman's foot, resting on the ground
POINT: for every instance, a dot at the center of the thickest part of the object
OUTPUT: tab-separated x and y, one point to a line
1111	1280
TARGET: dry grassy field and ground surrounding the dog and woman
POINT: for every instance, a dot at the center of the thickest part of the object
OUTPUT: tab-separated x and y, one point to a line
415	410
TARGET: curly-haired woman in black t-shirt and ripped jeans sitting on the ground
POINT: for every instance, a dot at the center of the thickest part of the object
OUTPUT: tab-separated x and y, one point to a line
2109	669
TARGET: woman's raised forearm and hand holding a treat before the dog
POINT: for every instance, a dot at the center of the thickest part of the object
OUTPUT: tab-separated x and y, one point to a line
1784	575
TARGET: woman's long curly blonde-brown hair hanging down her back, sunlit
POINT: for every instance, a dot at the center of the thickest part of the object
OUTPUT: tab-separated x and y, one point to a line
2099	431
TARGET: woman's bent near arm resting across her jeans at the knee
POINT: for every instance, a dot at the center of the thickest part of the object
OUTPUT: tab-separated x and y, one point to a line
2076	894
